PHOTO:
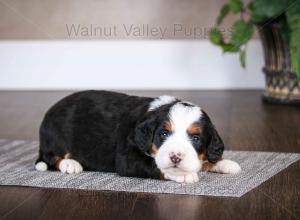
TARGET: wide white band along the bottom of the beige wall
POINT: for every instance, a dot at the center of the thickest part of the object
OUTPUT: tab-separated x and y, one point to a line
144	64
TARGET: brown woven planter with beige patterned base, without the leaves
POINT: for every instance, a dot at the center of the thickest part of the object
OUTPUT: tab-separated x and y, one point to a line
282	85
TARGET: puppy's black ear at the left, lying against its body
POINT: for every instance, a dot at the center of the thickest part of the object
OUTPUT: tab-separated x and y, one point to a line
144	132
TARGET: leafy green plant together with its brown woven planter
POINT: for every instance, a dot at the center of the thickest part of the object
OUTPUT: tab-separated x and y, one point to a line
278	24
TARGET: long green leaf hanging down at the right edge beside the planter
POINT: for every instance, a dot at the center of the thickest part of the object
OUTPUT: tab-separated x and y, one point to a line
293	19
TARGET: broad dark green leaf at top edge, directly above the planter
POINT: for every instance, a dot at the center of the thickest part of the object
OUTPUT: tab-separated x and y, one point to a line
262	10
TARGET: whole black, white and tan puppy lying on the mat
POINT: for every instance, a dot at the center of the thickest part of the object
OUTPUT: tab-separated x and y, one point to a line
160	137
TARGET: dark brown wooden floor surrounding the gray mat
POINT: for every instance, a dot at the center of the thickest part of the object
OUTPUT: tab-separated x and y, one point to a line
244	123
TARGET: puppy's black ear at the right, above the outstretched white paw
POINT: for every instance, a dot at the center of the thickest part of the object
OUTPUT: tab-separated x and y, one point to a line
215	148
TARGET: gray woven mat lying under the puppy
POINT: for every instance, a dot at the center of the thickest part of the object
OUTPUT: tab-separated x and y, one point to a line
257	167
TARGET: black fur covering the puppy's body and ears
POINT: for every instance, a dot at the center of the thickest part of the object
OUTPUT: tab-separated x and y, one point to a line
112	132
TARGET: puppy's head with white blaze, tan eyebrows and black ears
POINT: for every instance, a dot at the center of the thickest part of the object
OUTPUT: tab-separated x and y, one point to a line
179	136
